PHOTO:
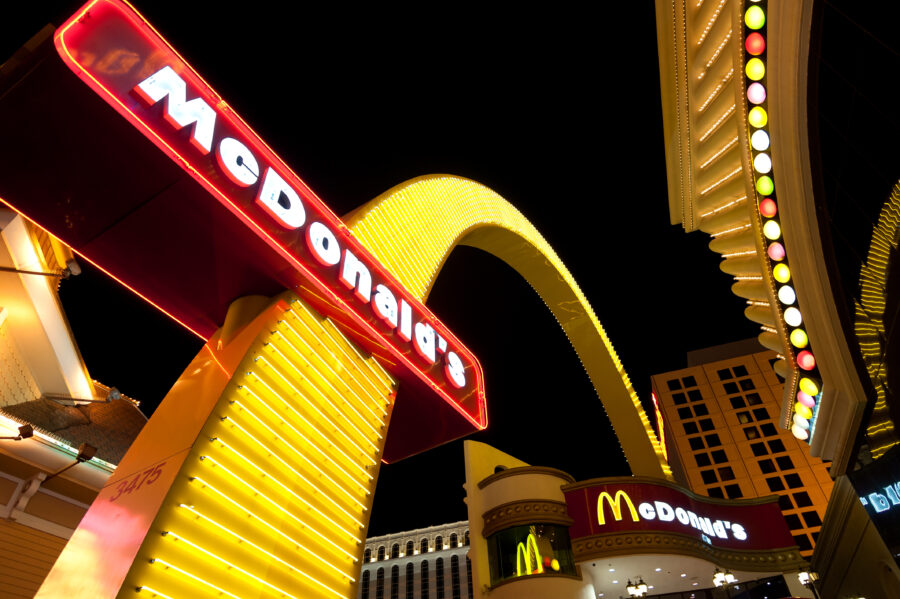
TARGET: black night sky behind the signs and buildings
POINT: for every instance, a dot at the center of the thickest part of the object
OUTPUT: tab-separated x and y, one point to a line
555	109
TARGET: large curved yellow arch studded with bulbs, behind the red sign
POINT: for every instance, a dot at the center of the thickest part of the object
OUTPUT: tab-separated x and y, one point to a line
413	227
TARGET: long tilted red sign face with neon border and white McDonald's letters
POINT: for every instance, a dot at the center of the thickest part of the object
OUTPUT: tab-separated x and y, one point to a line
110	47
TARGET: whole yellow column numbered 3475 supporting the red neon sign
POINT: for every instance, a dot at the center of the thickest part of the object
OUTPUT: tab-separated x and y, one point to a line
255	476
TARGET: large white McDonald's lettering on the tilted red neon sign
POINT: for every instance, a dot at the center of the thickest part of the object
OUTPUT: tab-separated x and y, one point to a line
280	200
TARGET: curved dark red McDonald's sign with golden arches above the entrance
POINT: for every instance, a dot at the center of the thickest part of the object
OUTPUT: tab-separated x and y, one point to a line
605	506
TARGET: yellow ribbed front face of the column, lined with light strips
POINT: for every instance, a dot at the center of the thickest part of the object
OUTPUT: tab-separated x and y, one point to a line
273	497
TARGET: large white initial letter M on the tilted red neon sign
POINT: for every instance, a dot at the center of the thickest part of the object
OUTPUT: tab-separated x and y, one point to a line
165	83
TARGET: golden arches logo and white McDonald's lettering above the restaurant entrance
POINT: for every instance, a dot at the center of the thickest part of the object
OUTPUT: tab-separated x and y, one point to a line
665	513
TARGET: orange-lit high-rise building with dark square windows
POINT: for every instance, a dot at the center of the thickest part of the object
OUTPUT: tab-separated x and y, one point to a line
719	419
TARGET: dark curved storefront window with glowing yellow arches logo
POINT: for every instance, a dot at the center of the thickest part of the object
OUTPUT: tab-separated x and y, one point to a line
530	551
